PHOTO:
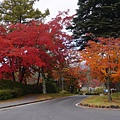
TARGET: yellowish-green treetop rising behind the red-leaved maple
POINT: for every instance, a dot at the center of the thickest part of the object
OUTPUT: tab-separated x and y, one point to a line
19	11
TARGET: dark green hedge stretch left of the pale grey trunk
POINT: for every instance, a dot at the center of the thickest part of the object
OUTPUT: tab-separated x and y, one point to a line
12	89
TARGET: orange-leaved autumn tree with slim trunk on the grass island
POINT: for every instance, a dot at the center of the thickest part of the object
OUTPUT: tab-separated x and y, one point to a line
104	60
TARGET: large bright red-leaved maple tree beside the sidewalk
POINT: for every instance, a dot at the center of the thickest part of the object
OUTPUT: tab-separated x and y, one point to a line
43	41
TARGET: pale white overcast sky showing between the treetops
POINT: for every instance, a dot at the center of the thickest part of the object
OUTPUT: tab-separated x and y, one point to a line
56	5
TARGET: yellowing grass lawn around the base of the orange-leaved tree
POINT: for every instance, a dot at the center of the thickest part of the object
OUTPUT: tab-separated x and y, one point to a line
102	101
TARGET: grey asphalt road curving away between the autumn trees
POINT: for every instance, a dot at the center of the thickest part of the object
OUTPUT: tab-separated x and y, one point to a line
59	109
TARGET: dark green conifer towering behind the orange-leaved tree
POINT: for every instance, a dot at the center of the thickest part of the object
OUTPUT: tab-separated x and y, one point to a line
100	17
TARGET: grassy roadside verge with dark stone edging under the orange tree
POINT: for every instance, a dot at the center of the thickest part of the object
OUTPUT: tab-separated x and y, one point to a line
100	102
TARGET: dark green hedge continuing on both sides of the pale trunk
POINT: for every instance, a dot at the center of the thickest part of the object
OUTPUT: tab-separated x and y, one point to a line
10	89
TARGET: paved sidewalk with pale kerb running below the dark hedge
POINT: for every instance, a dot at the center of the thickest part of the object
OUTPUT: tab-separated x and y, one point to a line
19	101
